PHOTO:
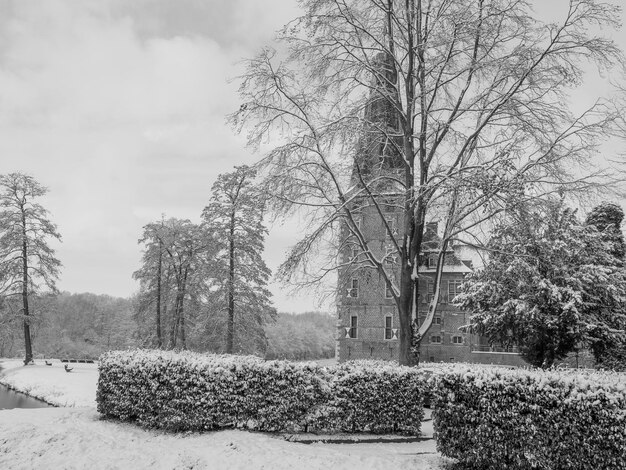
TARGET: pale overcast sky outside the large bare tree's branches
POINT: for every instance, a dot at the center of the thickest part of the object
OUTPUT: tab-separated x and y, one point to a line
118	106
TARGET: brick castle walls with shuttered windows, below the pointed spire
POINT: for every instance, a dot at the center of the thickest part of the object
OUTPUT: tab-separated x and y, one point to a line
368	318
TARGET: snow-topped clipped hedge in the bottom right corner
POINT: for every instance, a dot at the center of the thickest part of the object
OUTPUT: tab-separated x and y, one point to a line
519	419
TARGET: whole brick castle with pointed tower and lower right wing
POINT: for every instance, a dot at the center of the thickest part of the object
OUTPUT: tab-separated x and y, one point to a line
367	317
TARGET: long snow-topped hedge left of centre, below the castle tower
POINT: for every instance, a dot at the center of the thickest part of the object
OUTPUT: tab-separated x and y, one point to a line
188	391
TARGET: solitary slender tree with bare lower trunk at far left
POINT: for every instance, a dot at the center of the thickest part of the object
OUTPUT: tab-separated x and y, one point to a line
26	260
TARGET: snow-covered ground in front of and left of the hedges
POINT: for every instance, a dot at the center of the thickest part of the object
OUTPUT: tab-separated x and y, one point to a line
77	438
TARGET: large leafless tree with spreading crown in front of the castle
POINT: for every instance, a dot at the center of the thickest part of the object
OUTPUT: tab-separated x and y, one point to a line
445	109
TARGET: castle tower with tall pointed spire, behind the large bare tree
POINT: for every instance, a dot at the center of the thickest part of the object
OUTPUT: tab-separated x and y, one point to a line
367	318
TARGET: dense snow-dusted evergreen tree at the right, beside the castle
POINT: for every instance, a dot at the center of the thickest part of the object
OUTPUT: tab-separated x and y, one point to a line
551	284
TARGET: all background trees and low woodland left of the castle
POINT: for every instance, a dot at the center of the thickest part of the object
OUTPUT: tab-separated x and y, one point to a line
202	286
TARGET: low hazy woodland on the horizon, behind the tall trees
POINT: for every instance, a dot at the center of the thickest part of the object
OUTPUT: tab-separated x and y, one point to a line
86	325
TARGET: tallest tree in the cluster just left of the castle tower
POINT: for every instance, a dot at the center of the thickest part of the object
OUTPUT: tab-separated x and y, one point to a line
234	221
